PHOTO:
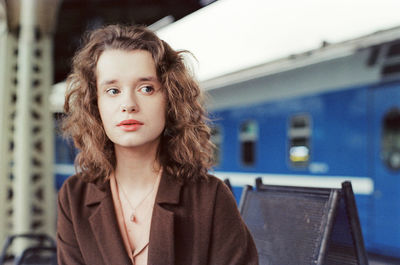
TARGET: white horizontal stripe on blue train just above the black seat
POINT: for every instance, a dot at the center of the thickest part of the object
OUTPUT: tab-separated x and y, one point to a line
361	185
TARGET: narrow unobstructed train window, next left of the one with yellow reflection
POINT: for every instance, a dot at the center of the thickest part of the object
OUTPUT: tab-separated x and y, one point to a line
248	138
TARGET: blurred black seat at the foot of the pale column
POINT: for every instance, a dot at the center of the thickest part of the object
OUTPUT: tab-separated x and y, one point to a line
42	250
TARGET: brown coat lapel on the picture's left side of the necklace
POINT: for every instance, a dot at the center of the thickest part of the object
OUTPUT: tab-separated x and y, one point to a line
105	227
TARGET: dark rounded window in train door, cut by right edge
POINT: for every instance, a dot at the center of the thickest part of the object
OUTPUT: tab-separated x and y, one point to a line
390	141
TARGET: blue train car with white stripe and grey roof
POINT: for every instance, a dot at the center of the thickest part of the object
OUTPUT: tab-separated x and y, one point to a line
317	119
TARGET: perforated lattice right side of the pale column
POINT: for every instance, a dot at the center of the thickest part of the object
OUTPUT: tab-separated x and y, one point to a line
43	183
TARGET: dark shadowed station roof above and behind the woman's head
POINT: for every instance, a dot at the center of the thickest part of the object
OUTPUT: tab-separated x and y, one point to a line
77	16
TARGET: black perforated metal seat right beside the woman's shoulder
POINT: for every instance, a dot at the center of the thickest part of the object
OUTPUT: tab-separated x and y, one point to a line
300	225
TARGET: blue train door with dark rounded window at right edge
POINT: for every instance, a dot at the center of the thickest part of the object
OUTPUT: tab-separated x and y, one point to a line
385	167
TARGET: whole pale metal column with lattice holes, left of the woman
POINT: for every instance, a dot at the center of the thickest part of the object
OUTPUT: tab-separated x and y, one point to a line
34	198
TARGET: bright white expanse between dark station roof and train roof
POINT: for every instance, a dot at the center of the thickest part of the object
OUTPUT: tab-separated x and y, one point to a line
230	35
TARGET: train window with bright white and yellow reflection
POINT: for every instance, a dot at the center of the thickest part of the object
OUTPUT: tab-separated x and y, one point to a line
299	135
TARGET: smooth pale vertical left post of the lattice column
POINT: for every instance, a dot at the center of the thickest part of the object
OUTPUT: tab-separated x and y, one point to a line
23	161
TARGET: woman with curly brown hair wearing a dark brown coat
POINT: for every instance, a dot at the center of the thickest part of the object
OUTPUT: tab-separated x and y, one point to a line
142	194
